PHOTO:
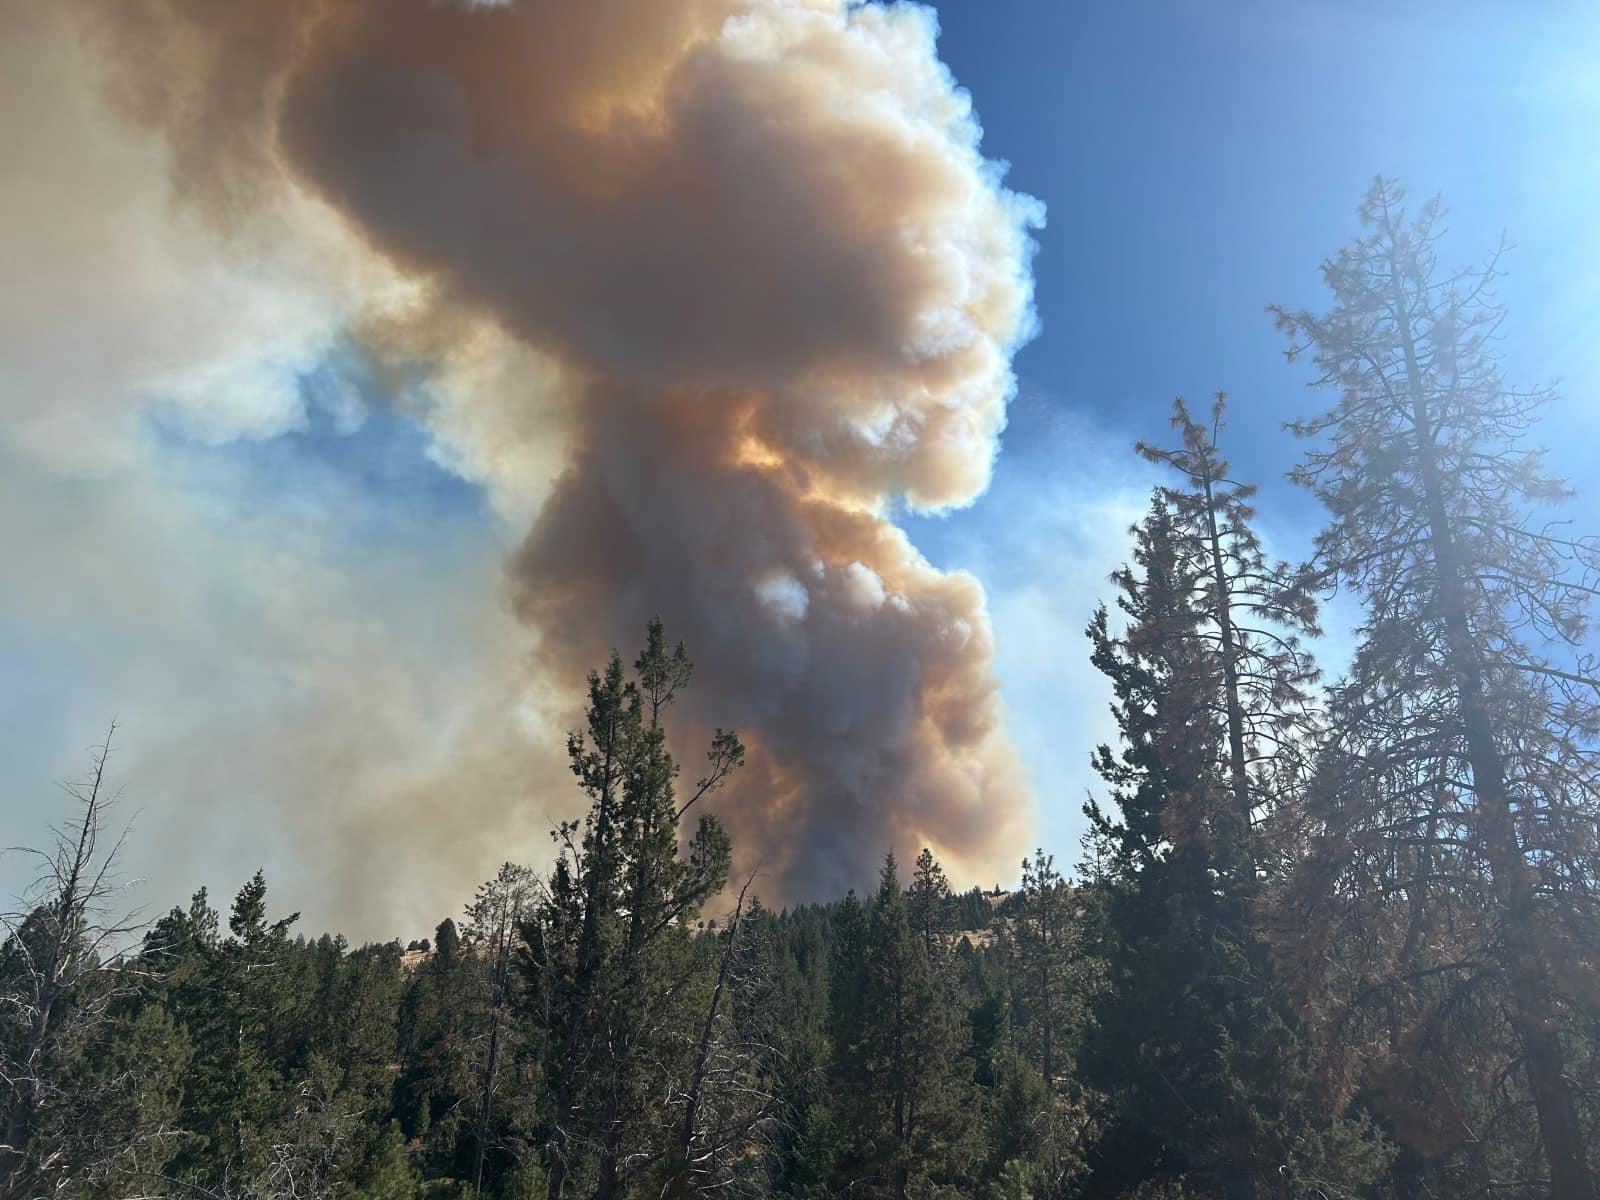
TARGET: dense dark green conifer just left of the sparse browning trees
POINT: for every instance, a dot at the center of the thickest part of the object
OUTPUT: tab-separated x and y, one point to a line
1194	1046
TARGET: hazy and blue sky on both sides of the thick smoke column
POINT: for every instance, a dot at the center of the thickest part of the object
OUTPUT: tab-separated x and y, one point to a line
1198	161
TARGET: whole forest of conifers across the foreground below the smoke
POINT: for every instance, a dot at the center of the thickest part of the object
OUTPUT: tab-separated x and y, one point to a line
1326	938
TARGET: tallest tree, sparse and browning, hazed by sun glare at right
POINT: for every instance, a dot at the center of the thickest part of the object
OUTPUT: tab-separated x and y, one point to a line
1470	689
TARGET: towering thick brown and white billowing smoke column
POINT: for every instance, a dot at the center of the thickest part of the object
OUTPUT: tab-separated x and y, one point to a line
774	290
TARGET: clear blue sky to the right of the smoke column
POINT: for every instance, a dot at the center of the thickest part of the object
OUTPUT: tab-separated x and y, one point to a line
1199	161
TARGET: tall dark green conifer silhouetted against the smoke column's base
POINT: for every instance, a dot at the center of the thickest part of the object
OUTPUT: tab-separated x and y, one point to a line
610	948
